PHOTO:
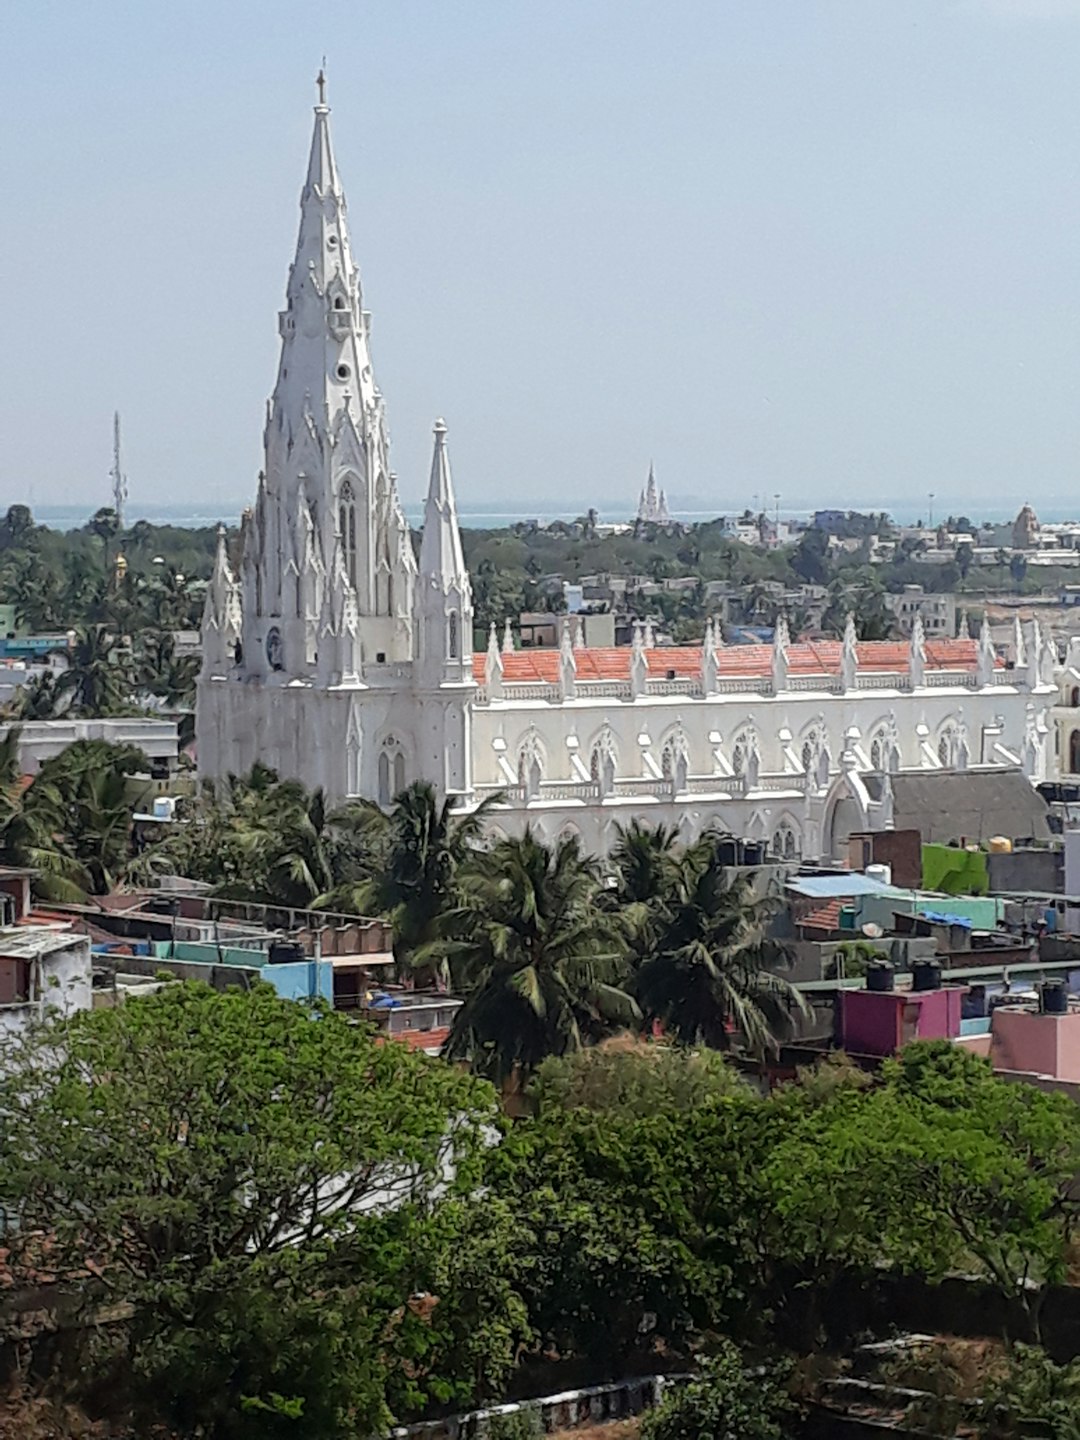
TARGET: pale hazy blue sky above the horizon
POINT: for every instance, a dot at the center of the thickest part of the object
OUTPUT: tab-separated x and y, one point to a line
829	248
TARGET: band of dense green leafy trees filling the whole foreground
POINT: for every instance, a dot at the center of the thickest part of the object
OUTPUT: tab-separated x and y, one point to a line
296	1229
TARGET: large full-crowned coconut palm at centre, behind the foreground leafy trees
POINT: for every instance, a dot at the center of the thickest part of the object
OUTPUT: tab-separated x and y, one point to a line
541	961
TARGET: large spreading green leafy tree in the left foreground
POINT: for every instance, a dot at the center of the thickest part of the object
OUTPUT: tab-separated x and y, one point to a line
258	1186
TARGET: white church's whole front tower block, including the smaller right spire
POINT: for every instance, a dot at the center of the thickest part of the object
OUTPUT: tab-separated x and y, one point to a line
330	656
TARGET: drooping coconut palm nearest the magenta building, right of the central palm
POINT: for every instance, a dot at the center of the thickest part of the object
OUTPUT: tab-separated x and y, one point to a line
712	977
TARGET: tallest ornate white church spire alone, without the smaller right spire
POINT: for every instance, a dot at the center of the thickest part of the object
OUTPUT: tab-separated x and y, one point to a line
328	516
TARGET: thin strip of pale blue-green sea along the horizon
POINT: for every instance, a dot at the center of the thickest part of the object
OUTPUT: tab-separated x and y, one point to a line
490	516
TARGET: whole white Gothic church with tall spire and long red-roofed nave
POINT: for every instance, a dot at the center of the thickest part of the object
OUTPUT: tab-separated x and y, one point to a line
341	659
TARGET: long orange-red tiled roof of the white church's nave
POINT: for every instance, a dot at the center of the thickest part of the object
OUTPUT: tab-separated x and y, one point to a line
804	659
